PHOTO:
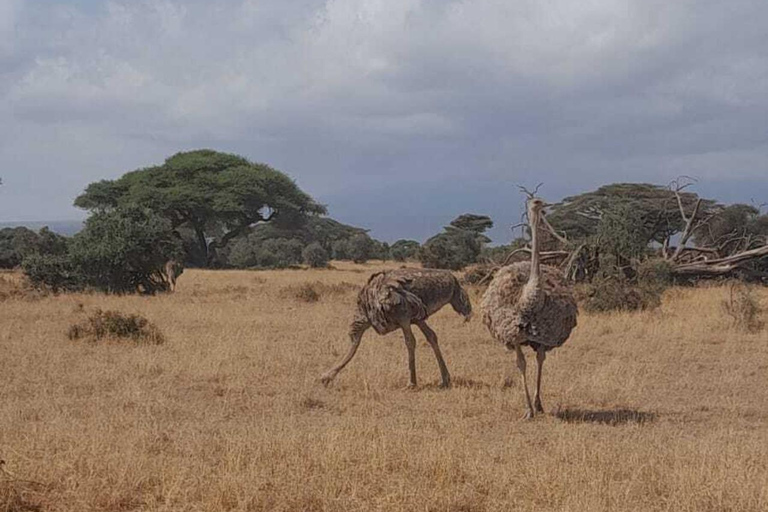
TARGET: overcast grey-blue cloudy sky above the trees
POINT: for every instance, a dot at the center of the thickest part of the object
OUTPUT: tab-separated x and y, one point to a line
397	114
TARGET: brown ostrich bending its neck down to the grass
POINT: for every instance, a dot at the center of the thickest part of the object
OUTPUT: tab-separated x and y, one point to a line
395	299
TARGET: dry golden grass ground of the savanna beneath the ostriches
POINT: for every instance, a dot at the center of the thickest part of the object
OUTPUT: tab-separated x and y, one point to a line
660	410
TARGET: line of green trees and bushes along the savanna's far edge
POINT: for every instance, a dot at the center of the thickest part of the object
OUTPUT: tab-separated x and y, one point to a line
217	210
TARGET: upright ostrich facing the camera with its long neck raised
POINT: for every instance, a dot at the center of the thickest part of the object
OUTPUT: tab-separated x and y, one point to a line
530	304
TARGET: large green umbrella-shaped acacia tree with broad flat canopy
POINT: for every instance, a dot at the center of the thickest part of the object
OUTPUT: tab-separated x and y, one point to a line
215	196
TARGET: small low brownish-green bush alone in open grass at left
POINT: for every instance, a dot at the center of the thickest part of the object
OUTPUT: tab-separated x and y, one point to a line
115	325
